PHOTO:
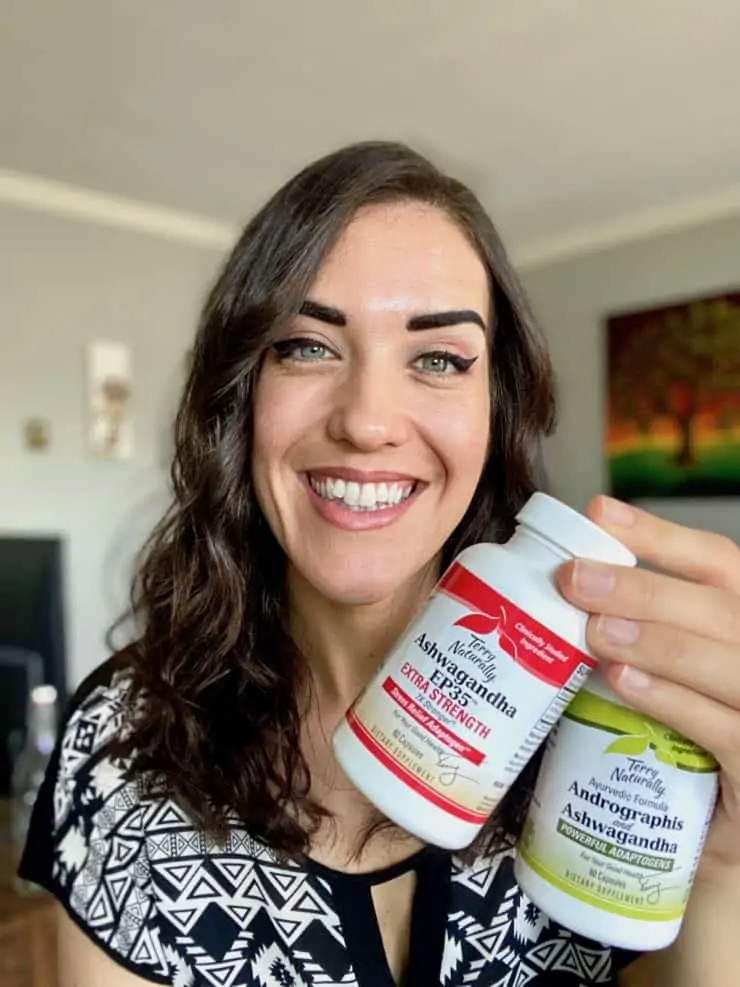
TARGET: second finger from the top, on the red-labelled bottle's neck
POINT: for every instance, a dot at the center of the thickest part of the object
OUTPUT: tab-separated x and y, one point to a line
638	594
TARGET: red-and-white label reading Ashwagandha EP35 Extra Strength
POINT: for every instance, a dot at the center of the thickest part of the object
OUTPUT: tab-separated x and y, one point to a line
467	696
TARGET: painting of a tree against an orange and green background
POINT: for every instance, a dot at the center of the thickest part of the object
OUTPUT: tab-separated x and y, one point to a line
673	411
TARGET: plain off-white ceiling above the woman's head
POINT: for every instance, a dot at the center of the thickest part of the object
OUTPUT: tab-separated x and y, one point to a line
568	117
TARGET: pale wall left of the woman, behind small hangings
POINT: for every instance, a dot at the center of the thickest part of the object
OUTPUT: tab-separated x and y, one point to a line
63	283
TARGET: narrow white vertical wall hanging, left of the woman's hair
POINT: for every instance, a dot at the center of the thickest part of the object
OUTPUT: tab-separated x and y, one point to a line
109	396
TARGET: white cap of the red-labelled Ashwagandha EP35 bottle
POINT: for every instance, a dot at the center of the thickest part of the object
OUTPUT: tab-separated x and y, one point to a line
572	531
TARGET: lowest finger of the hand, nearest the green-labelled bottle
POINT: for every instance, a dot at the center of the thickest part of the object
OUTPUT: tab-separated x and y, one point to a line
711	724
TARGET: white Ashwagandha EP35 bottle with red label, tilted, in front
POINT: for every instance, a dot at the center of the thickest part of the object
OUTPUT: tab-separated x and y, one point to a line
475	683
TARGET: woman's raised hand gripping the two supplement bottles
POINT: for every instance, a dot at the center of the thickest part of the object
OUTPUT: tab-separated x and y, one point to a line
672	645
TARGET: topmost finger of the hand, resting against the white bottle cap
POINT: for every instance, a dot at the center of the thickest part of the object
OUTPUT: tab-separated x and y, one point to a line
702	556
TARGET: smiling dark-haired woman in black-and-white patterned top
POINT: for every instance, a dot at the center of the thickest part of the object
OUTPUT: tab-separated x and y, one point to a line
367	396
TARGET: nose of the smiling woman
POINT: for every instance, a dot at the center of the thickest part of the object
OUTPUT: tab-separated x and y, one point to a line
368	411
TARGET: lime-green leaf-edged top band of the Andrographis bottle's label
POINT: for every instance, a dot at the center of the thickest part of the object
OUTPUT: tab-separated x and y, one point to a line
637	733
